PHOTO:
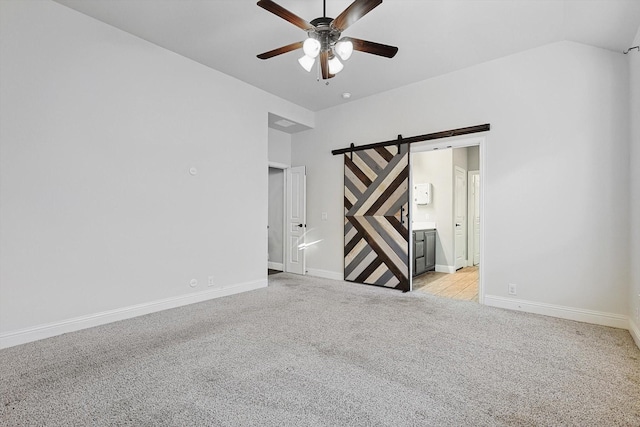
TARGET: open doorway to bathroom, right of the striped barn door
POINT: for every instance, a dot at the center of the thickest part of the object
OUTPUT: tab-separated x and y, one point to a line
451	171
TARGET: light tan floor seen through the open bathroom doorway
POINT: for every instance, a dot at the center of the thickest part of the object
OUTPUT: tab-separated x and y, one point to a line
462	285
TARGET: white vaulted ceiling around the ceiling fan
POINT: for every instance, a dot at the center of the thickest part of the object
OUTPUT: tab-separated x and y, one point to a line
434	37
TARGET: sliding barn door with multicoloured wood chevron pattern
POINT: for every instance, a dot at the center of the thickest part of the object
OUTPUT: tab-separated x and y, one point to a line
376	230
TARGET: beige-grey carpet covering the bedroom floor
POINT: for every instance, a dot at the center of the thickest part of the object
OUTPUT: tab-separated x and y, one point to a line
317	352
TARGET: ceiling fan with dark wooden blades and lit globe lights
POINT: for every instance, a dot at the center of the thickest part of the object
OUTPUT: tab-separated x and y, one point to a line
324	37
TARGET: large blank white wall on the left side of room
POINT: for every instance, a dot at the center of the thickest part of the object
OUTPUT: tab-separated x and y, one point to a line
98	211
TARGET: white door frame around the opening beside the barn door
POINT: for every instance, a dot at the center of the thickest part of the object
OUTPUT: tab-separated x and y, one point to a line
461	142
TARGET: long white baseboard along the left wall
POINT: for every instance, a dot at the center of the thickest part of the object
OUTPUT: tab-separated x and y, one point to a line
22	336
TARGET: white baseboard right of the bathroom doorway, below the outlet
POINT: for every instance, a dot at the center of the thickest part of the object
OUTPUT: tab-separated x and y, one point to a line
571	313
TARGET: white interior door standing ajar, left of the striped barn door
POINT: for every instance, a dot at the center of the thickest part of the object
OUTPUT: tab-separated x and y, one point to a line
296	220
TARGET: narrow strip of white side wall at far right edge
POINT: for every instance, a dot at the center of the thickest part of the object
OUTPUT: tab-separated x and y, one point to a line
634	230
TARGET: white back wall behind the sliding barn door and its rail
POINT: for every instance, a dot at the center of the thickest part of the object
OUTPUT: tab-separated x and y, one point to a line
556	182
